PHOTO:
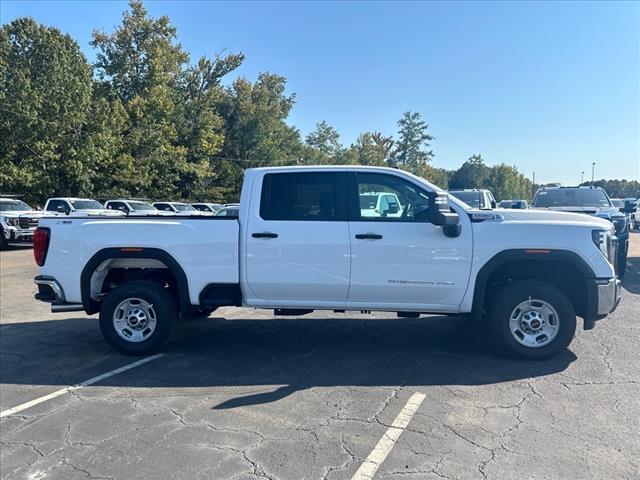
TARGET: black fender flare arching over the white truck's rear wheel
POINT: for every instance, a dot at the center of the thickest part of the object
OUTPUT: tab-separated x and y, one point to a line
91	306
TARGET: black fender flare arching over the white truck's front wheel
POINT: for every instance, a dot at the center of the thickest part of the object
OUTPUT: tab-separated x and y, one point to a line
532	255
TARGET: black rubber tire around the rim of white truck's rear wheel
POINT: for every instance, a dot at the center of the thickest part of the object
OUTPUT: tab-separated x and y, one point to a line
164	308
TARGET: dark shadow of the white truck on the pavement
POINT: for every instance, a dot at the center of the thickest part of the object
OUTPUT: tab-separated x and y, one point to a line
290	353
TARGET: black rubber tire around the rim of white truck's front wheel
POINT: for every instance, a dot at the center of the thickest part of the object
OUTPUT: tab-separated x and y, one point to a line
505	302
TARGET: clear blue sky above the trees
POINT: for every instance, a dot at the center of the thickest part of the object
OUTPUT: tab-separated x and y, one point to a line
548	87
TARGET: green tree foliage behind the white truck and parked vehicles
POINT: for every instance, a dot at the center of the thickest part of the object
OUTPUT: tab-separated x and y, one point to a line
145	121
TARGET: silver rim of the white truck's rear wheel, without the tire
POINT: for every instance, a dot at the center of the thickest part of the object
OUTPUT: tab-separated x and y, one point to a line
134	319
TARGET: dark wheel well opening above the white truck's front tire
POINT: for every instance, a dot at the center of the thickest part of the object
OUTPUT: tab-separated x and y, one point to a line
563	275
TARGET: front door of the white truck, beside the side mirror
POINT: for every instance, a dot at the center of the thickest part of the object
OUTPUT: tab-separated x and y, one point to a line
399	259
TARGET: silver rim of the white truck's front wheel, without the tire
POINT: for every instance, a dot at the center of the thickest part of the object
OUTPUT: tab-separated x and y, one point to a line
534	323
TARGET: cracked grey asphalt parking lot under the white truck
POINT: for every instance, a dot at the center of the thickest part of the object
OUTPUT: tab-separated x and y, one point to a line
247	395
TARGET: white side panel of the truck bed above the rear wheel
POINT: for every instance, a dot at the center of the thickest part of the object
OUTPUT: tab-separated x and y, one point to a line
206	247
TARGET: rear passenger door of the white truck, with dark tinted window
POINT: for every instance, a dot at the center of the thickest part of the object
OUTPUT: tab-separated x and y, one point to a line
297	240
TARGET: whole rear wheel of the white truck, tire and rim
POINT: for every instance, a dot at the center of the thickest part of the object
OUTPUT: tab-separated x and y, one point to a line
137	317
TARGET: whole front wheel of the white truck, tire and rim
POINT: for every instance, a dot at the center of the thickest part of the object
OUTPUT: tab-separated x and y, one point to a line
531	320
